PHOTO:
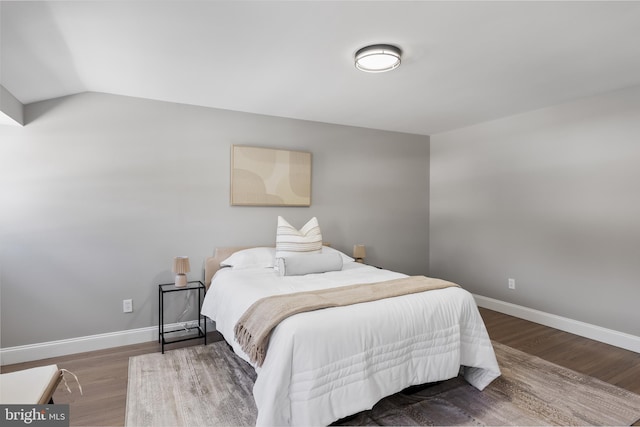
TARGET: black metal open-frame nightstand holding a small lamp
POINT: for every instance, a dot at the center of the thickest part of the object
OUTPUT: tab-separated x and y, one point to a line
192	332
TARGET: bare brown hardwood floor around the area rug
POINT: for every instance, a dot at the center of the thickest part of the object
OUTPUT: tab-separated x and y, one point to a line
103	374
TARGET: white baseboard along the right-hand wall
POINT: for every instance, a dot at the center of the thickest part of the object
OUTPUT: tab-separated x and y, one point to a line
608	336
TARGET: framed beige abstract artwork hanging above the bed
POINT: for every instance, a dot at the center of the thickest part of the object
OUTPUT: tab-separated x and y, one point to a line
270	177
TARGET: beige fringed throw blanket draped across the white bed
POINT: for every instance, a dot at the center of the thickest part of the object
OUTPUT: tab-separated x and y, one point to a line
254	327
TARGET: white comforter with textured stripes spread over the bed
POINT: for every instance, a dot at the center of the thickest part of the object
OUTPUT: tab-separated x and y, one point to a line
327	364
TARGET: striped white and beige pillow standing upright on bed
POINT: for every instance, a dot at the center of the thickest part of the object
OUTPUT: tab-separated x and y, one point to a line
290	241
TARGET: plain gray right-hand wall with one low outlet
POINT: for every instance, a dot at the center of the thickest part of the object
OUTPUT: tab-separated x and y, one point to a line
550	198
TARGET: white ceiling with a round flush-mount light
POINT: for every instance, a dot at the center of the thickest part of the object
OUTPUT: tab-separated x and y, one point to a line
463	62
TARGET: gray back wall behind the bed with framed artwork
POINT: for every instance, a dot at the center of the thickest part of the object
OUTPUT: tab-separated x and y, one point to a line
98	193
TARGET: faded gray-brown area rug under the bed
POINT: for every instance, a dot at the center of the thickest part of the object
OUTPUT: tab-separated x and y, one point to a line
210	386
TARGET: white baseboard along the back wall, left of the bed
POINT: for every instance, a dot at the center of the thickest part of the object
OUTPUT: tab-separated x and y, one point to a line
45	350
